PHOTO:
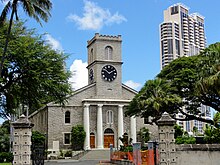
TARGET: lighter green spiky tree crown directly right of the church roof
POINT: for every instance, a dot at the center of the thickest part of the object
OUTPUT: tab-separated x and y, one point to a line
153	100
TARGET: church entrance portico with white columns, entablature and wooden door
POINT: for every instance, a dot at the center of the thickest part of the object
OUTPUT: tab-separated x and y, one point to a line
108	129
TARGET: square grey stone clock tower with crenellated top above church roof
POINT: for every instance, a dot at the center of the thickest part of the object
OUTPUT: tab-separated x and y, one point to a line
104	65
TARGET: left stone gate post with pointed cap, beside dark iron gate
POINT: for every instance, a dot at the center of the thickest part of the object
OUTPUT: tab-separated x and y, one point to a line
22	141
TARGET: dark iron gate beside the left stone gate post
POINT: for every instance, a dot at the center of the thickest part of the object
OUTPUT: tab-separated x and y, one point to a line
38	154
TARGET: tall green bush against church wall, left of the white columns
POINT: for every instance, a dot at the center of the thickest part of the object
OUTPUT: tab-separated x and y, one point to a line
78	137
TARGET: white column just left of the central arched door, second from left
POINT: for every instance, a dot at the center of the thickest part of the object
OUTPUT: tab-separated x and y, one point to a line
99	127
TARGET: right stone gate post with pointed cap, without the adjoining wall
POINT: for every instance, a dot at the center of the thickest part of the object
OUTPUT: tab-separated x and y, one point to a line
167	149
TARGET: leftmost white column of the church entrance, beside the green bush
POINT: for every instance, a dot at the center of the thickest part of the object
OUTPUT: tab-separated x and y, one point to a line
86	126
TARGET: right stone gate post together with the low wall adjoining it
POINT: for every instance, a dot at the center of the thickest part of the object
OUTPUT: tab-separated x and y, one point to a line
185	154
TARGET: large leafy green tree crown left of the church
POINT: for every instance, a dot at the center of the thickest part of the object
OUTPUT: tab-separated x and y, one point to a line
33	73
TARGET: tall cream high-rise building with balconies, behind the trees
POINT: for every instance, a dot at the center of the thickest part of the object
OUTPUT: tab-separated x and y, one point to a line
182	34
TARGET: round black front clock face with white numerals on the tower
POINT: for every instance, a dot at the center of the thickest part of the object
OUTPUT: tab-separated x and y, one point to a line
109	73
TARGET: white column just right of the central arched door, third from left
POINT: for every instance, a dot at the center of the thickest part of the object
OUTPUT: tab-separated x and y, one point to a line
120	123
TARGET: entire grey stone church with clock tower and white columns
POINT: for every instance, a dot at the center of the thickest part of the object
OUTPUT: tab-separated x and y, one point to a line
99	106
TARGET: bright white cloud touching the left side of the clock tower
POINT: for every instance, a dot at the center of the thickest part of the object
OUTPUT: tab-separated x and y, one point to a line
79	76
